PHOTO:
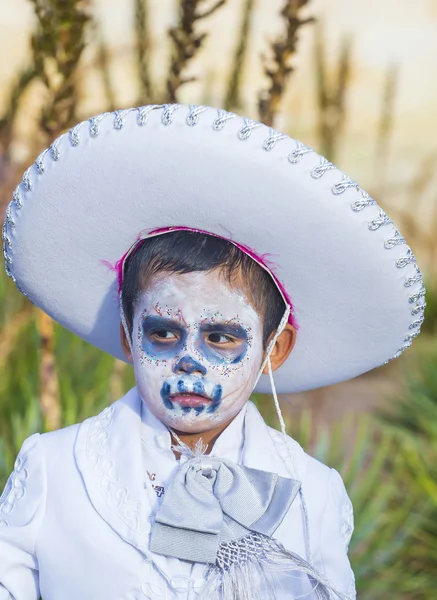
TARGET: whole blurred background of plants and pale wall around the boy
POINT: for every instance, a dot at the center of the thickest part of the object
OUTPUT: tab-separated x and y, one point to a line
357	81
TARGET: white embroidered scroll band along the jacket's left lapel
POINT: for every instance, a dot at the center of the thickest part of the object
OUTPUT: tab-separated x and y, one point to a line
103	469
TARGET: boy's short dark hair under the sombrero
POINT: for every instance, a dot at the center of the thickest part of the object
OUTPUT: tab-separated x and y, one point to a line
187	251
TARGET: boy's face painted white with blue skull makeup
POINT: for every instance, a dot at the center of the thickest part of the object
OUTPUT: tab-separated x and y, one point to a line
197	346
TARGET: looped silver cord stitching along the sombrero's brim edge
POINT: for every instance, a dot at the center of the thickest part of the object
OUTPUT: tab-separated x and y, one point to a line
244	133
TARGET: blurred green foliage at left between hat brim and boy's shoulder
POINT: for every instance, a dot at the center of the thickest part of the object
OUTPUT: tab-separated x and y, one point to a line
90	378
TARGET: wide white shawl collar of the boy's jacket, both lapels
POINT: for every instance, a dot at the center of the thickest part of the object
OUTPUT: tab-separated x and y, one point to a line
109	457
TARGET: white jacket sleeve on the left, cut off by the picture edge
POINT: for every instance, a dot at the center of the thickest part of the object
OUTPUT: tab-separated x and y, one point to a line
21	510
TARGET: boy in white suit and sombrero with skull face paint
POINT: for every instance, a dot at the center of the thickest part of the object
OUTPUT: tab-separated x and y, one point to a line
179	489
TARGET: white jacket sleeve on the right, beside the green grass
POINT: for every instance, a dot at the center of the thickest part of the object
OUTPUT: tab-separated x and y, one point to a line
336	531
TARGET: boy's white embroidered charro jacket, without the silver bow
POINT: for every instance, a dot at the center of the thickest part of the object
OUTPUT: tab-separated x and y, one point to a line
75	515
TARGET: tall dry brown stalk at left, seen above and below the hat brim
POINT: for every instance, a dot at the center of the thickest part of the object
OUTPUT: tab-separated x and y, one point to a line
57	46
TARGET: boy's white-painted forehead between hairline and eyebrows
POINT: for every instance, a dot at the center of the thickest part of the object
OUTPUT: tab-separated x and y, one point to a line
197	293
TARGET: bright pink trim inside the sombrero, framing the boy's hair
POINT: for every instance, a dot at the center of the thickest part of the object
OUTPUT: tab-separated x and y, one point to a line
262	260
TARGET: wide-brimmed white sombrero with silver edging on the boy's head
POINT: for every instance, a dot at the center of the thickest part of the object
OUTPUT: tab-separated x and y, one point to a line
357	294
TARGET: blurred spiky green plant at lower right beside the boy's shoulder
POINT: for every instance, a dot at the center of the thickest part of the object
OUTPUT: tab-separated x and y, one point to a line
392	512
